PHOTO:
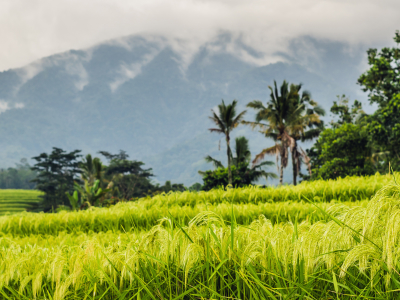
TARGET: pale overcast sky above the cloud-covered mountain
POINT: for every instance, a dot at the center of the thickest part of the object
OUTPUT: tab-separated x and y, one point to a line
31	29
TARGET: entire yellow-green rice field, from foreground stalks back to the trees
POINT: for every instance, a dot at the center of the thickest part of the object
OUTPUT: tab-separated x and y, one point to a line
213	245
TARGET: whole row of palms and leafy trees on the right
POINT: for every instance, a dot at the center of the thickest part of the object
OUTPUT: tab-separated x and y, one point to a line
354	143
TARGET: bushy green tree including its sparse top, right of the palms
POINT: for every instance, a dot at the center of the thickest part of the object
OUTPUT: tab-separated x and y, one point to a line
345	149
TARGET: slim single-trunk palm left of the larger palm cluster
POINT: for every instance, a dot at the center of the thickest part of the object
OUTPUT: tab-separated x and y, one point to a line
226	121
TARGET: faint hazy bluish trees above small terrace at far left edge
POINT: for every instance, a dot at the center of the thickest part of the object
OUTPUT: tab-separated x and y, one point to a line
19	177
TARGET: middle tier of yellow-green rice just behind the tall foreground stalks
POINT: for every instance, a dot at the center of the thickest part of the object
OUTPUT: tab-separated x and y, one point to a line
134	216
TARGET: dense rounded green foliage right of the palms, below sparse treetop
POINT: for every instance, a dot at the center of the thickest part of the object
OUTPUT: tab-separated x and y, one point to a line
341	152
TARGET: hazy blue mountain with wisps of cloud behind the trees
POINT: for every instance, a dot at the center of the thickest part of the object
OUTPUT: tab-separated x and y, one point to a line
152	97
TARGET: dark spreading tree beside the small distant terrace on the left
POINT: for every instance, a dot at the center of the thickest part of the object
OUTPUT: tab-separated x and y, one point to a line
56	174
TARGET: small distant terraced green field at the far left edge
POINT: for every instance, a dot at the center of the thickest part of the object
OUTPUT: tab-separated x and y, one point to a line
13	201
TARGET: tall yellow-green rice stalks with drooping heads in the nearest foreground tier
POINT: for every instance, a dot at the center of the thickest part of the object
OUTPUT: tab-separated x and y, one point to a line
354	256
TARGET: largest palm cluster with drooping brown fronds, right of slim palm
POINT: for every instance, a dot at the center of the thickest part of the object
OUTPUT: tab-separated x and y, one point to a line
287	115
